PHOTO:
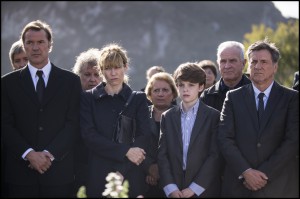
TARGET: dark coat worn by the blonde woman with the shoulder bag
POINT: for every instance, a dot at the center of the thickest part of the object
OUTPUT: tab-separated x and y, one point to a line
99	112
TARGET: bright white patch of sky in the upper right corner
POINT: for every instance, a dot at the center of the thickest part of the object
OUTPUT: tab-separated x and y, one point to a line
288	8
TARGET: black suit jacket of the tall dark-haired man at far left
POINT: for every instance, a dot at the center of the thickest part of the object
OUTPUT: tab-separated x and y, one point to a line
52	125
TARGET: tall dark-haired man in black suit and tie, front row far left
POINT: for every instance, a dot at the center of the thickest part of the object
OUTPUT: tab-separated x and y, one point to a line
39	134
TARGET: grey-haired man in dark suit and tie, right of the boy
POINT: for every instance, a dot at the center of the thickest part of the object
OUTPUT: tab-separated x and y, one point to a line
261	153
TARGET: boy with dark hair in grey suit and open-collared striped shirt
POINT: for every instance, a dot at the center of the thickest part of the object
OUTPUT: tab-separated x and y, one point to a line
188	157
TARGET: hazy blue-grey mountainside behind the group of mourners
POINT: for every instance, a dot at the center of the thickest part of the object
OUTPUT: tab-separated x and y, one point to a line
153	32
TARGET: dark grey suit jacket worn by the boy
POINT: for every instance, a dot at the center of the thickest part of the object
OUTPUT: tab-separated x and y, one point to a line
202	165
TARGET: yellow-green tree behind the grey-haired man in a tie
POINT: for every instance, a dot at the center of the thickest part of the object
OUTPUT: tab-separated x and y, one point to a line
286	38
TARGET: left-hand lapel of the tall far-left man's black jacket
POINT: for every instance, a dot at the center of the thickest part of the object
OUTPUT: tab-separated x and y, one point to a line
27	84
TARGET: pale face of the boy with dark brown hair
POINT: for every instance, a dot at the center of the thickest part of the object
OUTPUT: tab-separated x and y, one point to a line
188	92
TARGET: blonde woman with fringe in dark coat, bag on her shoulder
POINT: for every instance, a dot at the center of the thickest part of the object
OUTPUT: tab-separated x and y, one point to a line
100	108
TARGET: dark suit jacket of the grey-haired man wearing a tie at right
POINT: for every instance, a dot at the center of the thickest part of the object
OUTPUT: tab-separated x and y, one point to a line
271	149
